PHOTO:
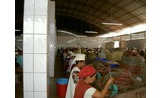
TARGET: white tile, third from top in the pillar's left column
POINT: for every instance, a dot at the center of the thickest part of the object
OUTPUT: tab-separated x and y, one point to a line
28	43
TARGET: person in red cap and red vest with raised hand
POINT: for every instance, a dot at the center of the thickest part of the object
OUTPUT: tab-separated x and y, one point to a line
85	90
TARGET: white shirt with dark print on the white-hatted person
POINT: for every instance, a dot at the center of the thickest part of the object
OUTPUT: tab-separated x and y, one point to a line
73	80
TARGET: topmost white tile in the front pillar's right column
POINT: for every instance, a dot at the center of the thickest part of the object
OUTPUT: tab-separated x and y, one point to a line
41	7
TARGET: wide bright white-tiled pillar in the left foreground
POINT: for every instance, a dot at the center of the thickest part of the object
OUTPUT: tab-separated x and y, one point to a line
35	49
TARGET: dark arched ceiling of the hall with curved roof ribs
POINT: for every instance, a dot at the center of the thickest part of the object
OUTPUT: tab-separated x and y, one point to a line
78	16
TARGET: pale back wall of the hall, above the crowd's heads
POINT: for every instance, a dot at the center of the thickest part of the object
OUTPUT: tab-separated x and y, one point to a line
62	42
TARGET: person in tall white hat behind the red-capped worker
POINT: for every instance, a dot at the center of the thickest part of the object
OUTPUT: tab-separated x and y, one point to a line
74	78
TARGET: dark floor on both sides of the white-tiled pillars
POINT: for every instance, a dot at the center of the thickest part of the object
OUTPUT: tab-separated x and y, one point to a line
59	73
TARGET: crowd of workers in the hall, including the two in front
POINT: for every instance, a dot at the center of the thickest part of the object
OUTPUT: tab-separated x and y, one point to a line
82	74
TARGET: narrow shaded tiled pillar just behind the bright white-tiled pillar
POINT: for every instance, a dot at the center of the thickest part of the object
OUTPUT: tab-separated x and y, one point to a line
51	38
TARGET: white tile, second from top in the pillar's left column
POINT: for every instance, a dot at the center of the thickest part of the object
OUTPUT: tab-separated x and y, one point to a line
28	24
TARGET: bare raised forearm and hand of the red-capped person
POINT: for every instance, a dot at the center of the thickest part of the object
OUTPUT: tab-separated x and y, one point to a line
105	90
